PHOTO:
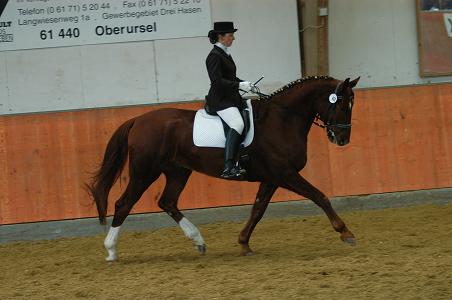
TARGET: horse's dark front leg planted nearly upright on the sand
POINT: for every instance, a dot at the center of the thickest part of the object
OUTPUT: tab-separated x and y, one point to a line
263	197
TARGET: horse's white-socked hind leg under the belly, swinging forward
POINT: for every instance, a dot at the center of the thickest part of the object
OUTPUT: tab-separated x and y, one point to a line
176	179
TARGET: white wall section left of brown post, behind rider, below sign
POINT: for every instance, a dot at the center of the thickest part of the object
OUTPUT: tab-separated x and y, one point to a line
152	72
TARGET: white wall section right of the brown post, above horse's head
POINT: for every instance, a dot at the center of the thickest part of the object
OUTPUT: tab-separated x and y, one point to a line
376	40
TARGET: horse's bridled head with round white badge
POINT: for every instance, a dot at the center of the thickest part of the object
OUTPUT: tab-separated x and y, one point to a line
335	110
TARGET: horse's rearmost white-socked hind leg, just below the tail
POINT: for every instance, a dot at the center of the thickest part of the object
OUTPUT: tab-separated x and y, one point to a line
138	184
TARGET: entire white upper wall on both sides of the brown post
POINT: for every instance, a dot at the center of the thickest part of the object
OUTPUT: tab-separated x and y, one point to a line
376	40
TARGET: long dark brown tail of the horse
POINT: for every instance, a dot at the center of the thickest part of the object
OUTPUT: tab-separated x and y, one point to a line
115	158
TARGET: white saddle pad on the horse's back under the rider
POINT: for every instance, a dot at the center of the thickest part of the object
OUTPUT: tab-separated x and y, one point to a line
208	130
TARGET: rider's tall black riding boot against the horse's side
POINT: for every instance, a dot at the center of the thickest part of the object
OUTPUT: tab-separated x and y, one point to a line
233	139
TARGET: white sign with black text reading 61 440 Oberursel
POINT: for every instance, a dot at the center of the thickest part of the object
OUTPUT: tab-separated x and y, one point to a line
27	24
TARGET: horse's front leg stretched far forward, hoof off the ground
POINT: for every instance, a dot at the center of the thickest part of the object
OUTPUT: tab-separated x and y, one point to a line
295	183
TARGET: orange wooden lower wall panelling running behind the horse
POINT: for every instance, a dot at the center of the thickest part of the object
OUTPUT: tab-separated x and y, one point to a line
400	141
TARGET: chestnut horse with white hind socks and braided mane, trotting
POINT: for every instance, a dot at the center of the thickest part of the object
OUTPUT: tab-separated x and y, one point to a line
161	141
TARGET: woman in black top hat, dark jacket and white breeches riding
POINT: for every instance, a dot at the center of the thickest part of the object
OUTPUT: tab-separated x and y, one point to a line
224	97
